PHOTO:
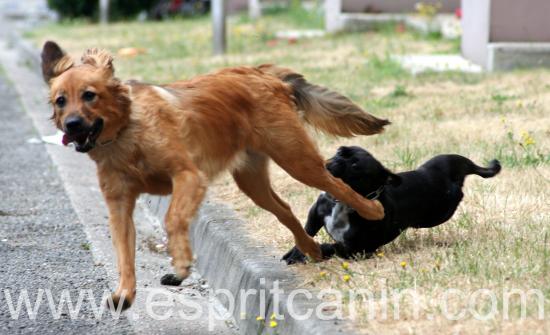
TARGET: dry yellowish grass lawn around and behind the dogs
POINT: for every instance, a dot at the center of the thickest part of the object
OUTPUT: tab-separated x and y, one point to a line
498	239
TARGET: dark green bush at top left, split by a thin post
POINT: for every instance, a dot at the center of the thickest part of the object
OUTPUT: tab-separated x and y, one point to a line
119	9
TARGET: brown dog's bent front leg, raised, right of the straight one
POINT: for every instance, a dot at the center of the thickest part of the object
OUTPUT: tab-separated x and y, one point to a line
188	189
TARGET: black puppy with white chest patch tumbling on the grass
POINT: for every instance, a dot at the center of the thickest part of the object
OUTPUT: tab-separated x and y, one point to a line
423	198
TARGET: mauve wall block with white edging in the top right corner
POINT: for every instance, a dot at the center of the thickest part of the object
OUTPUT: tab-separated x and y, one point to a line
504	34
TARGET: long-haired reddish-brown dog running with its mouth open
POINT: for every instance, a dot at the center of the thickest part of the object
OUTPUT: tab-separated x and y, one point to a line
175	138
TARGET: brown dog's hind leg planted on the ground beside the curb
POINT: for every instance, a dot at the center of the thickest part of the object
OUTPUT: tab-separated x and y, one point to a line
253	180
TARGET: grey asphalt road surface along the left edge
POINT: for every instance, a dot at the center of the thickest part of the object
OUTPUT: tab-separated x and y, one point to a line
42	244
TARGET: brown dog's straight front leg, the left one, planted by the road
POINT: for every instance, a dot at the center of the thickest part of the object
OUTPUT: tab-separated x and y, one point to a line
123	234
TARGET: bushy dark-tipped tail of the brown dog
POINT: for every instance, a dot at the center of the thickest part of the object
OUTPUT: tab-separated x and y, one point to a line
327	110
